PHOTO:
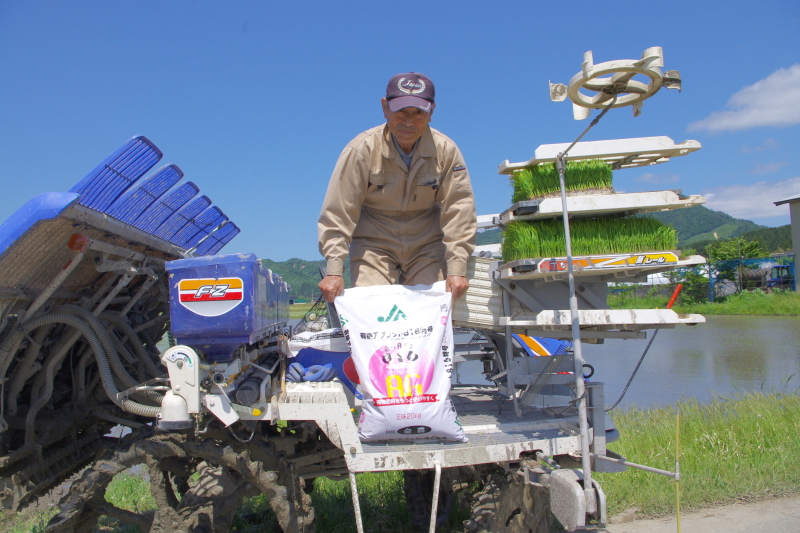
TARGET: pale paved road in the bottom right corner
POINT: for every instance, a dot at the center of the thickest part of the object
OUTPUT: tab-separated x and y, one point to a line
770	516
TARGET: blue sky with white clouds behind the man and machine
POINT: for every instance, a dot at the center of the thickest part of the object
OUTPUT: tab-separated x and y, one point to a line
255	100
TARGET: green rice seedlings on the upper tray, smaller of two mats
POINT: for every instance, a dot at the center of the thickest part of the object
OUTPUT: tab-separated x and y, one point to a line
542	180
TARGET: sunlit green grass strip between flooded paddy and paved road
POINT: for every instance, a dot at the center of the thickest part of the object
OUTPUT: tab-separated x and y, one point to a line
732	449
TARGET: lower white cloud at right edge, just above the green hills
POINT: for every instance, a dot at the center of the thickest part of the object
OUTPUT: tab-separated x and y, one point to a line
752	201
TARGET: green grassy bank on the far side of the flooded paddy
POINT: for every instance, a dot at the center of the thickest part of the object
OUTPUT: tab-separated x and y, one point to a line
777	303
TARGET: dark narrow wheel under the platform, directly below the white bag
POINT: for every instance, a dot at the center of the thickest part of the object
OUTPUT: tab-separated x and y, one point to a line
418	486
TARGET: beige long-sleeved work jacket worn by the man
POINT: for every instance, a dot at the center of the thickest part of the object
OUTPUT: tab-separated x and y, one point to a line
405	208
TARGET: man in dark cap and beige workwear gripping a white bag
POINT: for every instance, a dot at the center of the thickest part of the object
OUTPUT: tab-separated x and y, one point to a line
401	200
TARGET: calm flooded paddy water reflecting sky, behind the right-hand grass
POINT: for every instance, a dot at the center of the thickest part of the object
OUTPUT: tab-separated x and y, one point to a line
723	356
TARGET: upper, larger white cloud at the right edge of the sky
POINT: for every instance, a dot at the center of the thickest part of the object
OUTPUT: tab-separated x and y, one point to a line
773	101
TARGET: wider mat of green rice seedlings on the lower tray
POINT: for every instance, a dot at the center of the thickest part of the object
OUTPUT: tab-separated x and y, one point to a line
590	236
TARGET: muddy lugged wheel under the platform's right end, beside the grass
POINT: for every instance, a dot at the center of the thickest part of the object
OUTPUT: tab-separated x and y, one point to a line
507	505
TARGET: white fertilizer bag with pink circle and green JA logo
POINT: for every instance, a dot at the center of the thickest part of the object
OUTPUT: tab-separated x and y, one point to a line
401	341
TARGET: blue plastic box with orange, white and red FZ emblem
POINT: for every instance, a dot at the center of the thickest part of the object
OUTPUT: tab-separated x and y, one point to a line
217	303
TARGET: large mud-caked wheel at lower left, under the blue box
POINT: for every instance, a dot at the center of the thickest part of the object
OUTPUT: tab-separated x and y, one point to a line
227	473
